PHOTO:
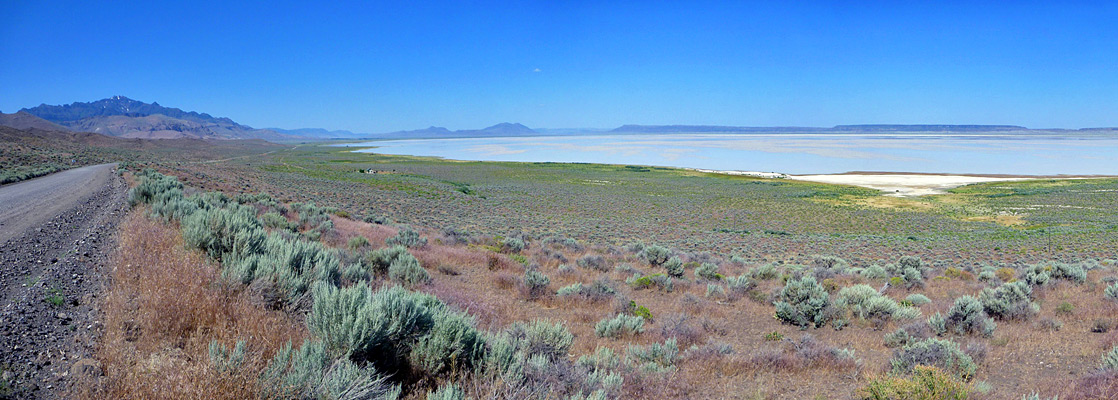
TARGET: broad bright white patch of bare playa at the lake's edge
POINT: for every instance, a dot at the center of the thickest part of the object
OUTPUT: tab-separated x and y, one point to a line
904	185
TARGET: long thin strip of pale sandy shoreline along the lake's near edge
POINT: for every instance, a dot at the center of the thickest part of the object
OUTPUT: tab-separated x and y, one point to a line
901	184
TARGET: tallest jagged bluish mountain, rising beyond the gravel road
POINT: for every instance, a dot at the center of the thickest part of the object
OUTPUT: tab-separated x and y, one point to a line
126	118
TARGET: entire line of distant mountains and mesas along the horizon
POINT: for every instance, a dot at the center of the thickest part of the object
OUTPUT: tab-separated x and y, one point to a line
125	118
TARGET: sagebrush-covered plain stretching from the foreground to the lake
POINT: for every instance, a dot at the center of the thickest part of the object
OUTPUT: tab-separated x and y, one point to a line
461	303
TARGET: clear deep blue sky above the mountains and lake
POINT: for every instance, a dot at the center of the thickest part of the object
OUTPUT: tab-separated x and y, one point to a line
571	64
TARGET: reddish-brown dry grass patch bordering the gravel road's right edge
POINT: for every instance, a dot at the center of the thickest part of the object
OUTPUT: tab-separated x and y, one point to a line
164	308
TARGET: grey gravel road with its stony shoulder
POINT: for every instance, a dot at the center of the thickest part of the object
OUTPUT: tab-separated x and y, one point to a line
55	236
